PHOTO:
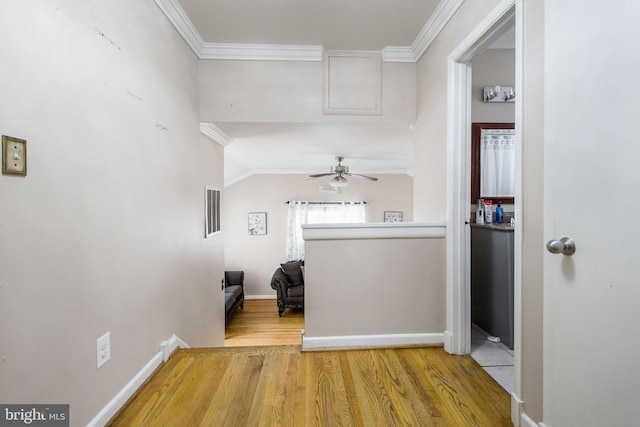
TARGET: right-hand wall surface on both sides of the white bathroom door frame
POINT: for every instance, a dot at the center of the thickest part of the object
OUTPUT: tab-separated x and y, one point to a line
430	165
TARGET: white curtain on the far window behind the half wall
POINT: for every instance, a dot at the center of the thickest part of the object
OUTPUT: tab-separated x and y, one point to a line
317	213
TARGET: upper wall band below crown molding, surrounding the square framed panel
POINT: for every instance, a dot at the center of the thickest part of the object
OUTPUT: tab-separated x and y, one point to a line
285	91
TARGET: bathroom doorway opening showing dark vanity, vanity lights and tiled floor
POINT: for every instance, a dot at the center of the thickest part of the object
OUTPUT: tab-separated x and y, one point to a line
492	246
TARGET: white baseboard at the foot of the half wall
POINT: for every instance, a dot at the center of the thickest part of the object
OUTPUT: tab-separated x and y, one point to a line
371	341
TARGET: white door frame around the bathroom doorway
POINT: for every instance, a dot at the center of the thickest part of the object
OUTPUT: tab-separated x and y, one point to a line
457	339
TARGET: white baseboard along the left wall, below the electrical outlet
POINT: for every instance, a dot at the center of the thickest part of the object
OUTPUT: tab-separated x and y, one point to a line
120	399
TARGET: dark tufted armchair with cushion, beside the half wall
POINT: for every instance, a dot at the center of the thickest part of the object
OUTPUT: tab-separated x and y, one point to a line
288	281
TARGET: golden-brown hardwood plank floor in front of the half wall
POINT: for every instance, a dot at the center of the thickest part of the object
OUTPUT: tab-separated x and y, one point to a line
282	386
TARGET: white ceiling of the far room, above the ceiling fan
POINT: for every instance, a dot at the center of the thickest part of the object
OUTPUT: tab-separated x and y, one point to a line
311	148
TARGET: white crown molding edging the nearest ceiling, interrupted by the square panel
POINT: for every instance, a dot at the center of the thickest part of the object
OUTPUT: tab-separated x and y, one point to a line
269	52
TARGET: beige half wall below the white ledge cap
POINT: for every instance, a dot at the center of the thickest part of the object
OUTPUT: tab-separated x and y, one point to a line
392	288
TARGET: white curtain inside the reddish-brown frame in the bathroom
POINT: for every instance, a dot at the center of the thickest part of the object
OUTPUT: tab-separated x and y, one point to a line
497	162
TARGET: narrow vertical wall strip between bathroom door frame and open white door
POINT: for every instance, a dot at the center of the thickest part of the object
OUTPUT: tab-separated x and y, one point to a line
532	202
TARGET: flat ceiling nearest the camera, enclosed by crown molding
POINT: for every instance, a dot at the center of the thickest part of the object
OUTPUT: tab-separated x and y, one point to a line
333	24
